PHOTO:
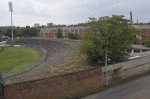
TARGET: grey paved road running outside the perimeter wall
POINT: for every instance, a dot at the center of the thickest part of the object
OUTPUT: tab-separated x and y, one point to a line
137	89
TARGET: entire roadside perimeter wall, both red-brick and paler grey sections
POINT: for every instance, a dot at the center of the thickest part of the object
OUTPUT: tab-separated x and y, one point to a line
71	84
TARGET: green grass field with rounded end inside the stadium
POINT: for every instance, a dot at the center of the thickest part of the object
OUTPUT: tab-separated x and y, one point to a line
16	58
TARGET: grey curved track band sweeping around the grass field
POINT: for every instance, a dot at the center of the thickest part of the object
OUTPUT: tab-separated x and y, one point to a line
57	51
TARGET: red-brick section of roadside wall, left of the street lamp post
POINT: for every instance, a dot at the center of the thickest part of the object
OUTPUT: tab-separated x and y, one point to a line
56	87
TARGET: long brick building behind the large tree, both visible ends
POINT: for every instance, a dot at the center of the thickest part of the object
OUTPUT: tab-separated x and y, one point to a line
51	32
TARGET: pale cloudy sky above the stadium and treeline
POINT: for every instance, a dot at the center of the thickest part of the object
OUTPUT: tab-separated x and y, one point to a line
28	12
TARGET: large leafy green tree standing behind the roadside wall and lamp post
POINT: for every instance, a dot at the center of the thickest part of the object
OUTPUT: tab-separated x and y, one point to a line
112	34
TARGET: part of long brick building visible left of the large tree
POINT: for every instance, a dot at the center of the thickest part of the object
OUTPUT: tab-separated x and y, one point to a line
51	32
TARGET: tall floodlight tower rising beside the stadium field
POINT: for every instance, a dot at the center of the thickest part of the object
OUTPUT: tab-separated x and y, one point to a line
11	10
